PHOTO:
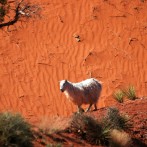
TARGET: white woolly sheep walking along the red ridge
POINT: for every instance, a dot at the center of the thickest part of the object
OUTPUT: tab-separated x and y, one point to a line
85	92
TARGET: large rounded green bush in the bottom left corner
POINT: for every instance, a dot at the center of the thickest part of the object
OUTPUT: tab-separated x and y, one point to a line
14	131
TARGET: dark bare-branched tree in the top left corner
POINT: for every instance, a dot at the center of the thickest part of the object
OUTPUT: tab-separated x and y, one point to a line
11	12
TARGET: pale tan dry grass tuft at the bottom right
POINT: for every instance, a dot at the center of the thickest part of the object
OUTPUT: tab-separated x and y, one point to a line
120	139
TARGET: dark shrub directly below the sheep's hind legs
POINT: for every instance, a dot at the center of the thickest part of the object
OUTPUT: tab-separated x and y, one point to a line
89	129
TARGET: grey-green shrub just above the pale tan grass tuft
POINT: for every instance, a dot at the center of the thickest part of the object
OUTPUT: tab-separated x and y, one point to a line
114	120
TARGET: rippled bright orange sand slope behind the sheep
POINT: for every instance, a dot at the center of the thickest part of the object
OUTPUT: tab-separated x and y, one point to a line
36	54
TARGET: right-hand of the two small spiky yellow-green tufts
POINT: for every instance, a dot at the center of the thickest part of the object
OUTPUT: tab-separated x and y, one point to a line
130	93
